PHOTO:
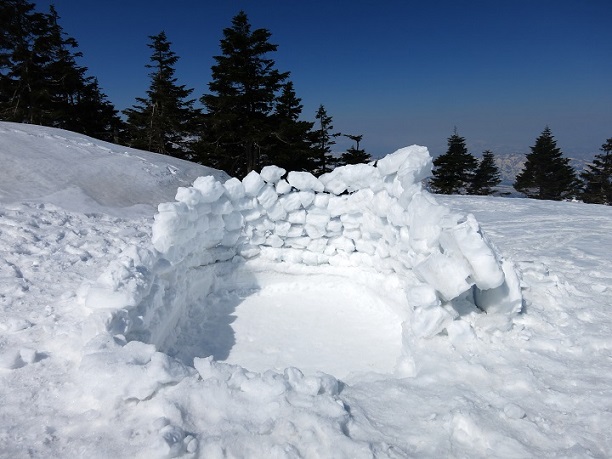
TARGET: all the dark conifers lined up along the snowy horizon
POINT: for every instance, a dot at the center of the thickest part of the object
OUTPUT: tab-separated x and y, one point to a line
248	117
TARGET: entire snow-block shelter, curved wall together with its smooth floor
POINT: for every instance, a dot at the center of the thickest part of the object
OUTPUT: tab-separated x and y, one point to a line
369	235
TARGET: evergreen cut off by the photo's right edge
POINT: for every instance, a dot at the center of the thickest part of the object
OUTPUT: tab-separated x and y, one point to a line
597	177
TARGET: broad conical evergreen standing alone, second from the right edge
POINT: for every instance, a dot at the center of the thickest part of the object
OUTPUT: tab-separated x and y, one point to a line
547	174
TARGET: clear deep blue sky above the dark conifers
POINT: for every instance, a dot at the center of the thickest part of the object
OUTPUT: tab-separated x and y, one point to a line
397	71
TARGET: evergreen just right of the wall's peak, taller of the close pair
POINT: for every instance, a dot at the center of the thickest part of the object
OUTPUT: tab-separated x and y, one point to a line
453	171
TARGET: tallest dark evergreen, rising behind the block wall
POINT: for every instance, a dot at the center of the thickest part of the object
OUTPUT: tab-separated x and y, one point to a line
243	94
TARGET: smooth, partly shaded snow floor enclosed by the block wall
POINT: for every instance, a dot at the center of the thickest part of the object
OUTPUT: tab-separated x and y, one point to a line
313	321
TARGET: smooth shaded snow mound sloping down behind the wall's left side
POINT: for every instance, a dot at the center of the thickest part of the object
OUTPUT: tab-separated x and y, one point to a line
82	174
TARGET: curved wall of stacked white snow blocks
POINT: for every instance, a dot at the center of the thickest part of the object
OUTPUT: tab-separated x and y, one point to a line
364	216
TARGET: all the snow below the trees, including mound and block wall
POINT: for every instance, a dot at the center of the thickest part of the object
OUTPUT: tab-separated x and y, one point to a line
292	317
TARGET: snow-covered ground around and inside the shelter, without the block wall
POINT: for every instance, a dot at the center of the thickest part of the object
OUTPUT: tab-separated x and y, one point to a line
541	389
